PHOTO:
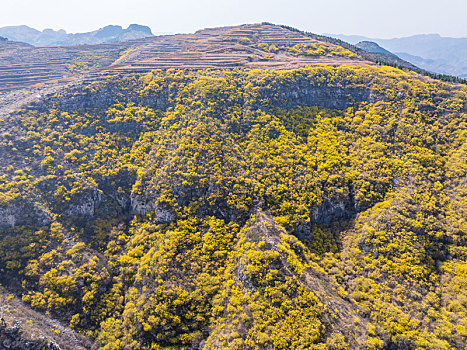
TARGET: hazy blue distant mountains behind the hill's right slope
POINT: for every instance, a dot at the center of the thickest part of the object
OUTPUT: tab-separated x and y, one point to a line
432	52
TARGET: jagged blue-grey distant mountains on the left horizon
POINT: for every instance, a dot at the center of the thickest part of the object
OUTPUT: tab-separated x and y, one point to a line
50	37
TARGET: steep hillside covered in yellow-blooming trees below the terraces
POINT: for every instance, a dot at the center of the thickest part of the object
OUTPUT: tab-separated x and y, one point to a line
317	208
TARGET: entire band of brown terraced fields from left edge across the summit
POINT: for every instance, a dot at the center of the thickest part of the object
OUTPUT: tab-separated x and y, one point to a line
23	65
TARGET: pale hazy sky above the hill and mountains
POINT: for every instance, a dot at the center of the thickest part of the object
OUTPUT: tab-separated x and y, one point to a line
374	18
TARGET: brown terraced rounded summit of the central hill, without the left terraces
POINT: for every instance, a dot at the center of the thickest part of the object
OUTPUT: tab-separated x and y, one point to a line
227	47
